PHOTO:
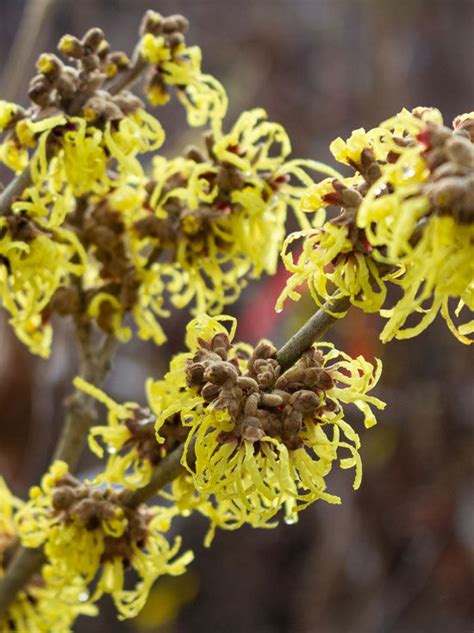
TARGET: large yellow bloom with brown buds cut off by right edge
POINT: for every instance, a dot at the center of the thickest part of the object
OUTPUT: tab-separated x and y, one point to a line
418	215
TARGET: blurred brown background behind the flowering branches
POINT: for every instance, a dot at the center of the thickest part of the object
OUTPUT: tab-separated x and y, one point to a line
398	555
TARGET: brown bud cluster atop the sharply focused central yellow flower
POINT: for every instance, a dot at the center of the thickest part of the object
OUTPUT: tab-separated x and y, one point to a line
261	401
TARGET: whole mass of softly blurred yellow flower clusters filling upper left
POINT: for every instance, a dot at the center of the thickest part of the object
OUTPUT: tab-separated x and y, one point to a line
113	241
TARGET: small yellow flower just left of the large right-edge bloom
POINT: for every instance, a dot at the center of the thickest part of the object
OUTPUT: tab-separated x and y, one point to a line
336	259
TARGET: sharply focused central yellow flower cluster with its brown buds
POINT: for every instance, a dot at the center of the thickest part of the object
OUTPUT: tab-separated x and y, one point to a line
263	442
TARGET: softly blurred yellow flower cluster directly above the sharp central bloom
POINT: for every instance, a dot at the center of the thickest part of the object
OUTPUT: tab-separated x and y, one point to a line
218	218
